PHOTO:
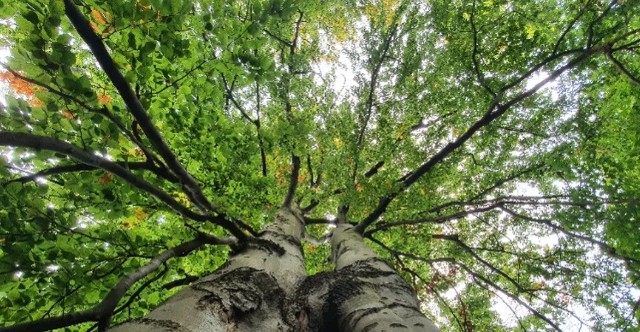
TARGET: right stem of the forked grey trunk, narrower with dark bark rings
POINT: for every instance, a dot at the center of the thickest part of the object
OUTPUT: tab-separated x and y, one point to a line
367	294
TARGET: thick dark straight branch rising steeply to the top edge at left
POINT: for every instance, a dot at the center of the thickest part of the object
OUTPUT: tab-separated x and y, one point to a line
82	26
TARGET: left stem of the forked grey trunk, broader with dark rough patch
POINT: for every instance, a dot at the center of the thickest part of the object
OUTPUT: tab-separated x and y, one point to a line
248	293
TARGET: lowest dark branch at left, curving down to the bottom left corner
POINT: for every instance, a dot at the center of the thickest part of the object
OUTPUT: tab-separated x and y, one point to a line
103	311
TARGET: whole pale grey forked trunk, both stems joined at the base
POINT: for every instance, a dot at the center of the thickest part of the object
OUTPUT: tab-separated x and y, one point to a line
264	287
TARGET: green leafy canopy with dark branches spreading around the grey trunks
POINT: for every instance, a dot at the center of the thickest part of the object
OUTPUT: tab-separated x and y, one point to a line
488	150
